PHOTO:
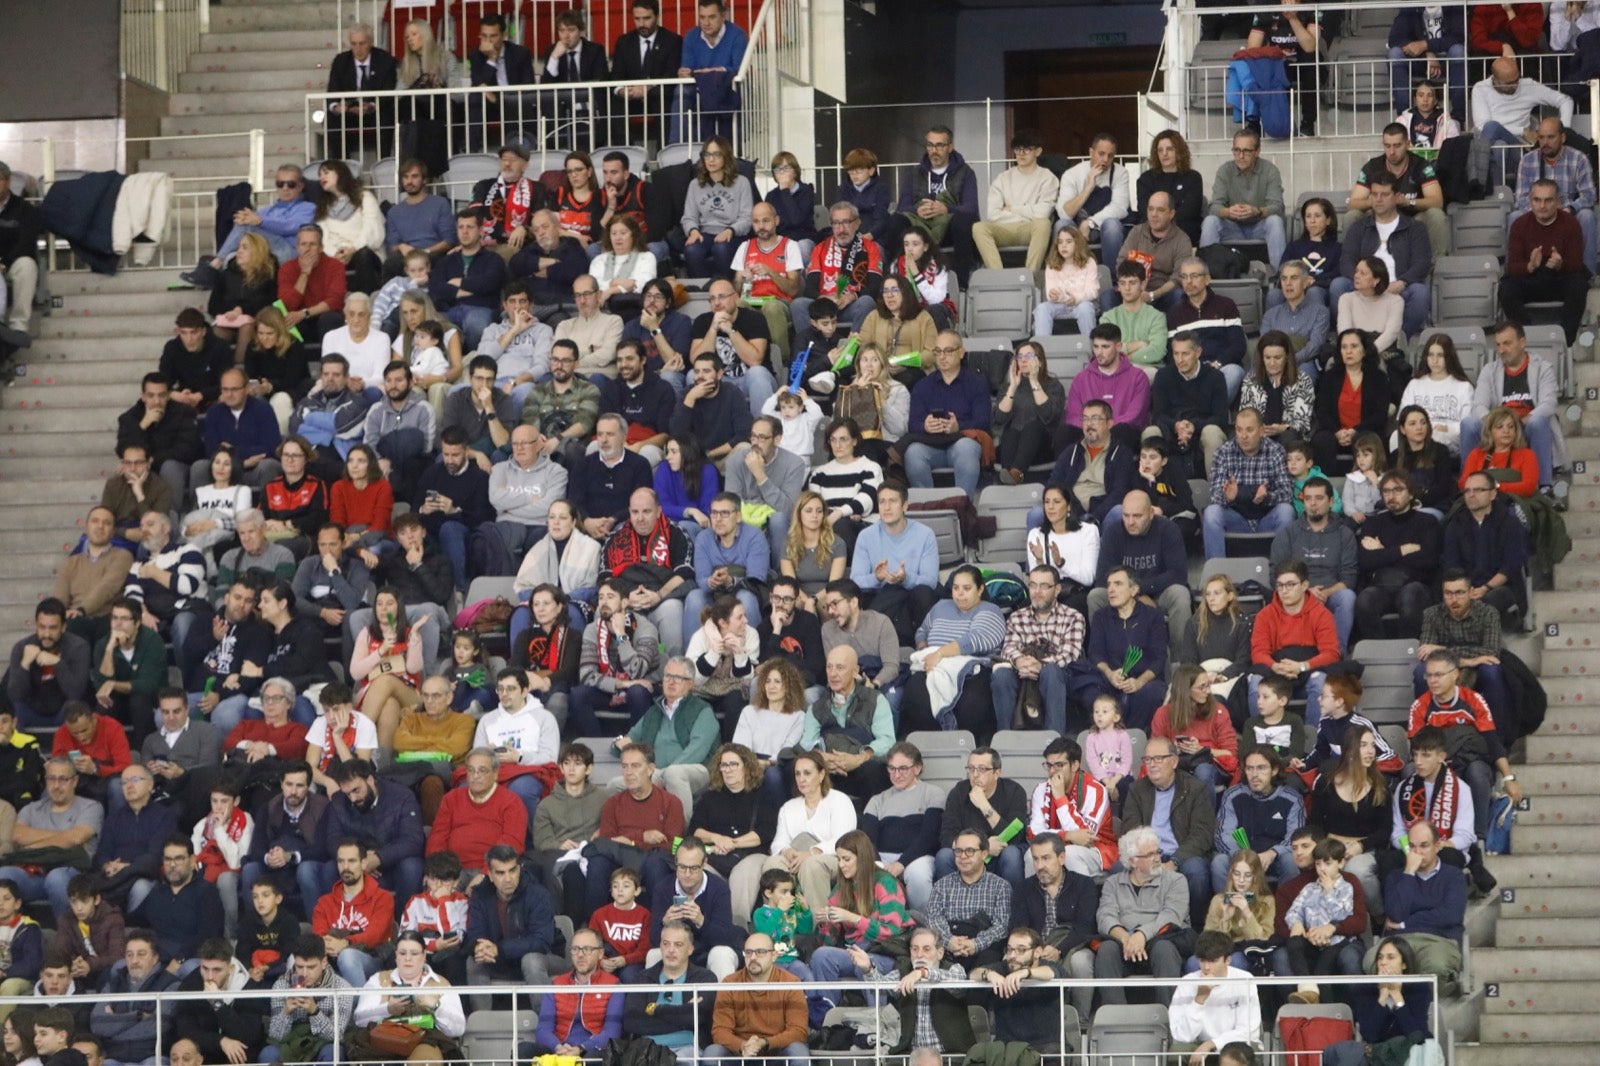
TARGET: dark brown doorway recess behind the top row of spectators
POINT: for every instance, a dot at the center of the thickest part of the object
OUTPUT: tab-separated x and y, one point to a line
1042	79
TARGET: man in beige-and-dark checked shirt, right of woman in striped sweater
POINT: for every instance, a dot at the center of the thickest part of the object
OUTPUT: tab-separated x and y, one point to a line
1041	646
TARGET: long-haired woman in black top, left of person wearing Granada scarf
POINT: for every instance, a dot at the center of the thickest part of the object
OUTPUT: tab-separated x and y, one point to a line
1353	806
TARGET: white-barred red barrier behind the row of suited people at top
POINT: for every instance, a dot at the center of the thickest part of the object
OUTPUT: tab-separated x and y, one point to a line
530	23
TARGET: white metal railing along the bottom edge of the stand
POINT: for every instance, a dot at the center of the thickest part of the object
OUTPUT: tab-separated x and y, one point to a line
345	1003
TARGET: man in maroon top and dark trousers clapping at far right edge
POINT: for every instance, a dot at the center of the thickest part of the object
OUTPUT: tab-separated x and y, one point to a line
1545	260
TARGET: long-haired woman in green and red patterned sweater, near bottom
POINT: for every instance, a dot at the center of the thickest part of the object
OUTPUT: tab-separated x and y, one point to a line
866	910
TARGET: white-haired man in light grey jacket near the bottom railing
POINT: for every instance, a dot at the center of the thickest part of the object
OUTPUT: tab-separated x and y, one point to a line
1143	915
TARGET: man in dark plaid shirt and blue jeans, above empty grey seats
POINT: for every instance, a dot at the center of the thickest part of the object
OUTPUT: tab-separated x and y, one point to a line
1252	491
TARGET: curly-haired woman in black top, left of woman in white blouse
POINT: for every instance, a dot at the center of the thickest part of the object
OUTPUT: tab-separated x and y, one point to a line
737	820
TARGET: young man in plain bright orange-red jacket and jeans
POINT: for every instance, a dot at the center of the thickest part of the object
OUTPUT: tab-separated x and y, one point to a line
1294	638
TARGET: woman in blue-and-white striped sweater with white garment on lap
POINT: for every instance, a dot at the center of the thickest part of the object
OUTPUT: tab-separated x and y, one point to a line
962	627
